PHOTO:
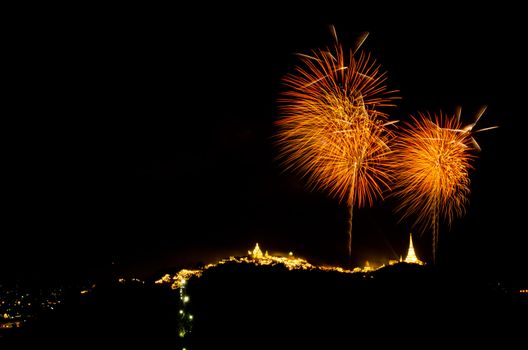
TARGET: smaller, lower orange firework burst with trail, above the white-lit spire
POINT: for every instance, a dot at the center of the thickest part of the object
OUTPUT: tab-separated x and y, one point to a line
432	159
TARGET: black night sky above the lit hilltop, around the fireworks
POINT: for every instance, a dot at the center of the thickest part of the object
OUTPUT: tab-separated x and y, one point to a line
143	137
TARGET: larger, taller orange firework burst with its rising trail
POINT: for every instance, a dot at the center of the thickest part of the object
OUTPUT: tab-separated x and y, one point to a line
331	130
